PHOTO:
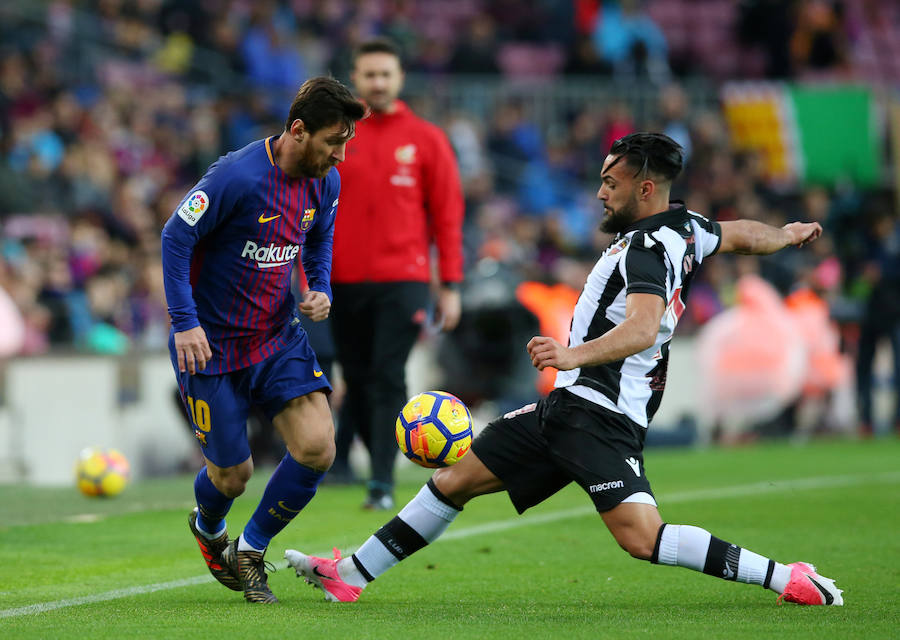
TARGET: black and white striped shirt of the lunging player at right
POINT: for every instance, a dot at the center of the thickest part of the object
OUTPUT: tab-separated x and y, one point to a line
659	255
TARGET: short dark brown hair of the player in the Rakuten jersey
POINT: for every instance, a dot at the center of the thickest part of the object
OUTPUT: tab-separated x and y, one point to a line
322	102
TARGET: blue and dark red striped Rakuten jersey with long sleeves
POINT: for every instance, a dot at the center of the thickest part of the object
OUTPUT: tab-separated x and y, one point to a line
229	248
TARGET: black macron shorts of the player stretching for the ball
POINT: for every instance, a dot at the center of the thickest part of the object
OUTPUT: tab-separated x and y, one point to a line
539	449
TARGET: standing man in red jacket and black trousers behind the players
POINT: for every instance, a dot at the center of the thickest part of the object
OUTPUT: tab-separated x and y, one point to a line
400	196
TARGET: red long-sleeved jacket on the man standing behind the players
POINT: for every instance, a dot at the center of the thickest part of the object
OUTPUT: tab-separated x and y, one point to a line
400	194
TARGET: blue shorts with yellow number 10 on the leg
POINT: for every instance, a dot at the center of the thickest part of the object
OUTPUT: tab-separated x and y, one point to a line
219	404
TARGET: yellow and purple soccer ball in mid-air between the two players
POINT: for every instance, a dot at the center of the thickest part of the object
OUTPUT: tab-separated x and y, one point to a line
434	429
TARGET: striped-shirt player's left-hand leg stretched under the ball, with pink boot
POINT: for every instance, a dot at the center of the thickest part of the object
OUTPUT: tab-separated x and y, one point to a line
508	454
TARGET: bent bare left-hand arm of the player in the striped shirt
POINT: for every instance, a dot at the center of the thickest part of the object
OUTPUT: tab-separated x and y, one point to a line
643	312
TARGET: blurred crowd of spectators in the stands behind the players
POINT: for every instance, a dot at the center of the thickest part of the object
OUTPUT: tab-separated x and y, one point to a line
111	109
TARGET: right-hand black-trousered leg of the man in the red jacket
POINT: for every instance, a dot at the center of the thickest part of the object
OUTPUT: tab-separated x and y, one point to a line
397	319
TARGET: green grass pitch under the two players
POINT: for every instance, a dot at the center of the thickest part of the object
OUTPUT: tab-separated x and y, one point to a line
554	572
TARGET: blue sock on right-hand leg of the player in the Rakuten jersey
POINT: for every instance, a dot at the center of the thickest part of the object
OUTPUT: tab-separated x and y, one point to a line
290	488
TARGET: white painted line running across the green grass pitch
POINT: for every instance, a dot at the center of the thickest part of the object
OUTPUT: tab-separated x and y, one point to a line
800	484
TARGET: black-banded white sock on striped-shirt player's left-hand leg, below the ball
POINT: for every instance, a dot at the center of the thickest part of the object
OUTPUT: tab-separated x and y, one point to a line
419	523
